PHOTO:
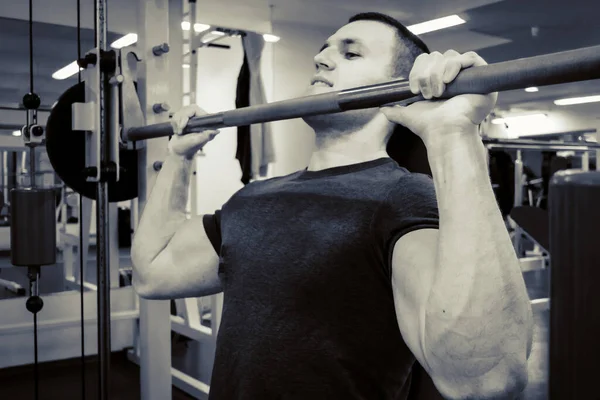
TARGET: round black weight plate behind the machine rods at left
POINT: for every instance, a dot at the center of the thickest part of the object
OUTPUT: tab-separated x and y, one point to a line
66	151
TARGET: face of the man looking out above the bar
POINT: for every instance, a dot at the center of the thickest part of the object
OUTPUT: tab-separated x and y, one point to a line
358	54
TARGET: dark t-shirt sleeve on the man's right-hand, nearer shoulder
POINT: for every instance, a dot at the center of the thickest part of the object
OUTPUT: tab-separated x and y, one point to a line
410	205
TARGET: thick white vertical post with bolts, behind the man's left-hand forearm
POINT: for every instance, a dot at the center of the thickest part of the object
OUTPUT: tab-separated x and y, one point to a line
154	87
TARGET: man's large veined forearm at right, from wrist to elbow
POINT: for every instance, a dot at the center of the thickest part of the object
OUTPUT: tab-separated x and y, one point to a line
478	313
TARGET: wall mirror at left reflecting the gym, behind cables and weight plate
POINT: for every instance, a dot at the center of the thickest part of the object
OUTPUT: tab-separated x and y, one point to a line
54	48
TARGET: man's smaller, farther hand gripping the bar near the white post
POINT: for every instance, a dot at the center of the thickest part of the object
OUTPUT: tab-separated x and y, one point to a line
189	144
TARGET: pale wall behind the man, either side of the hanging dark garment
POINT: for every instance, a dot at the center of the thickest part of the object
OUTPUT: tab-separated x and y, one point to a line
287	67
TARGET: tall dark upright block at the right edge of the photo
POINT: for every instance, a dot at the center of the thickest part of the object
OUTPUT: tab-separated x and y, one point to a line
574	199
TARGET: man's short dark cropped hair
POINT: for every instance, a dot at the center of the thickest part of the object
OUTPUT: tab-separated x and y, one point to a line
409	47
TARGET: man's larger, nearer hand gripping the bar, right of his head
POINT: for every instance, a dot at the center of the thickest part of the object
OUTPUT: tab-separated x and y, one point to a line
441	121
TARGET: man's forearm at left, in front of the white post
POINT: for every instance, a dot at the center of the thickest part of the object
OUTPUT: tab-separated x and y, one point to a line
164	212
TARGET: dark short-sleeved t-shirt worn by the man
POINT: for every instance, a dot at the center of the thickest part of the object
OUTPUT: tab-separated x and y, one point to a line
305	263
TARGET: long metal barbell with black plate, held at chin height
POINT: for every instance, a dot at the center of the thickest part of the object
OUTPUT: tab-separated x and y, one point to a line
66	147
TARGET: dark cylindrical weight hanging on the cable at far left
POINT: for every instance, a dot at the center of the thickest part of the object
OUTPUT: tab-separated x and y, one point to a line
33	227
